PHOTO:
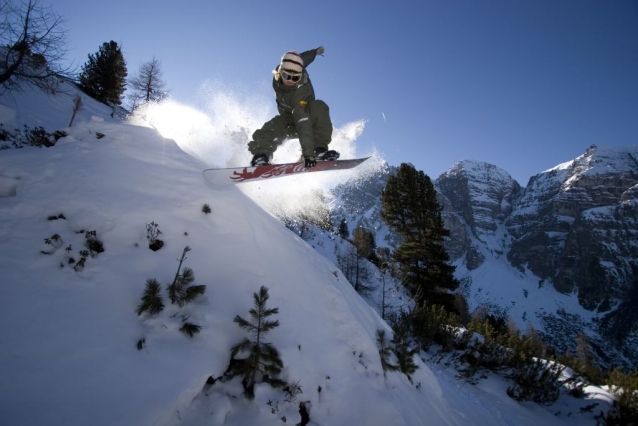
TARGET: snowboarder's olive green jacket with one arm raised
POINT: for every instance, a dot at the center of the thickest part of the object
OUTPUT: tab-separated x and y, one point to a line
293	102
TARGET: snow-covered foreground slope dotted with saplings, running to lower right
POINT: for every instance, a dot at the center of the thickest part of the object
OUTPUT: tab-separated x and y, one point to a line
69	338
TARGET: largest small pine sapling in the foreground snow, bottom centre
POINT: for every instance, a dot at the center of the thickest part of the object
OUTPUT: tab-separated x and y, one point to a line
263	362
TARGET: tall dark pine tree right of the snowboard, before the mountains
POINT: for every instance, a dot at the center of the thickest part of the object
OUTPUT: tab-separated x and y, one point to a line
410	208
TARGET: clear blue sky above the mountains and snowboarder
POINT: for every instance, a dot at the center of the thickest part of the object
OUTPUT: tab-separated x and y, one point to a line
524	85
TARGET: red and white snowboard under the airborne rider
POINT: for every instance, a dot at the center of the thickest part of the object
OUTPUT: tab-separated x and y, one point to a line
273	171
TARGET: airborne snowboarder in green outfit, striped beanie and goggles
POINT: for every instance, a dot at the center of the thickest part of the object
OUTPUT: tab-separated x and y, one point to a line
300	114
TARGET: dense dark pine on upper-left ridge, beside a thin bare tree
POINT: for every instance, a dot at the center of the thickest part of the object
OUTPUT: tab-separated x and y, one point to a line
104	74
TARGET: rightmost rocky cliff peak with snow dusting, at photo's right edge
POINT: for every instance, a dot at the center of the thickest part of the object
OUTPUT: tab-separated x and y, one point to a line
576	225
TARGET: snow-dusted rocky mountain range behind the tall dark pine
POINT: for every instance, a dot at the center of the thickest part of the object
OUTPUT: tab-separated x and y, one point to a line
561	253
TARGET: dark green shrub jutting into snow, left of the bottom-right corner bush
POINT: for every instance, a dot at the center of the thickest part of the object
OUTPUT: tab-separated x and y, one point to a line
537	381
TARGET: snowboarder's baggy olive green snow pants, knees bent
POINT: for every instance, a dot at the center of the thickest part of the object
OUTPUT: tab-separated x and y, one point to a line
282	127
